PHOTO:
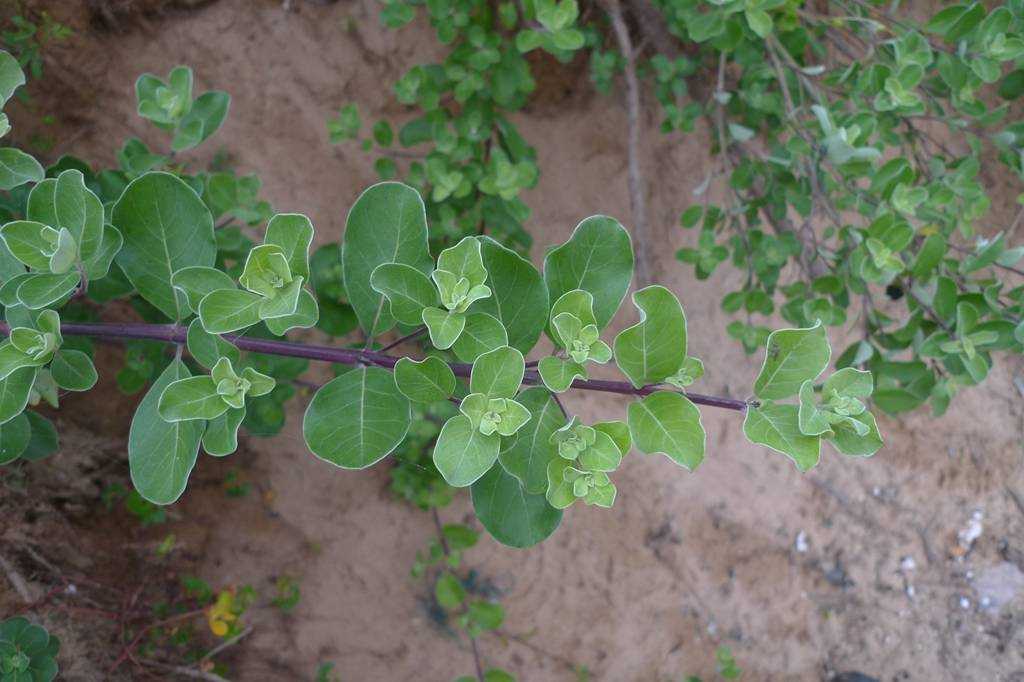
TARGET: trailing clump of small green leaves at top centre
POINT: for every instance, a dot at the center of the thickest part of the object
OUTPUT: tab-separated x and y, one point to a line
461	151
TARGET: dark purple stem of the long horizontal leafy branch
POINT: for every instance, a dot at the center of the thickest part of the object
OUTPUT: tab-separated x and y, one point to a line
178	335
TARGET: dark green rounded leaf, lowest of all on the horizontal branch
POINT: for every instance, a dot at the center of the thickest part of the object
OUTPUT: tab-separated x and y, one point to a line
511	516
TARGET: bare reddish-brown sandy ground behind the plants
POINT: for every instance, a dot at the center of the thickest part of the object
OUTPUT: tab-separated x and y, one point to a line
685	563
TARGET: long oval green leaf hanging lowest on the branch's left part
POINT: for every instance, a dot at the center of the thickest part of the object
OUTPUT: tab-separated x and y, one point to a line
161	454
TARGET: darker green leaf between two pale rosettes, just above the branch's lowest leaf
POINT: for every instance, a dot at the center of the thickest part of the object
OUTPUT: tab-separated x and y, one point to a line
526	455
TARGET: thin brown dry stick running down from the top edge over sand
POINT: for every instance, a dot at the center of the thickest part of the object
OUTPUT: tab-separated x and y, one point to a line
634	178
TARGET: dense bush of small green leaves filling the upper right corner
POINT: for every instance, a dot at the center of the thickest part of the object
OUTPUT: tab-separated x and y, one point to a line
831	132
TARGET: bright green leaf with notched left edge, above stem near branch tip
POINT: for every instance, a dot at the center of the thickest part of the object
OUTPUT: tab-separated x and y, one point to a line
655	349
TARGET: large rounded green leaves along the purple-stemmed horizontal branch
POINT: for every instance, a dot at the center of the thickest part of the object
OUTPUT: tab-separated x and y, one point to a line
484	307
